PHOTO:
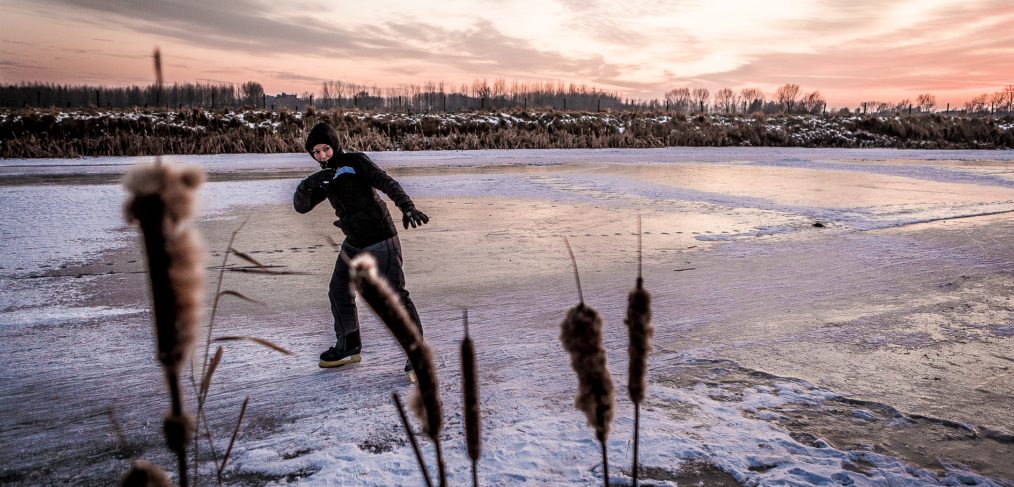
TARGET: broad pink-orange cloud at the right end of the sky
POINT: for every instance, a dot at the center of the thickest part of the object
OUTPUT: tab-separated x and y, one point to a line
953	49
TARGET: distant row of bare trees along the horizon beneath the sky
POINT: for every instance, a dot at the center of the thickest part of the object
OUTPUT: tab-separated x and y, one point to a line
479	96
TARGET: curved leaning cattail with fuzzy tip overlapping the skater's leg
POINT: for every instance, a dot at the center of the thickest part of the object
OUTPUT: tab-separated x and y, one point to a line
378	294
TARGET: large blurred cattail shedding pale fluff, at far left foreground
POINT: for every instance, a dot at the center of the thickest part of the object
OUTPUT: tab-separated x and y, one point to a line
162	203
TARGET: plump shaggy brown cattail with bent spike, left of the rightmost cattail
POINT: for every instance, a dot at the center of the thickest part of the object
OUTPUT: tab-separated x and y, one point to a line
582	335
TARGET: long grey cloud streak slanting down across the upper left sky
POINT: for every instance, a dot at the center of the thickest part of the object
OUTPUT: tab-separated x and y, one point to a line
252	27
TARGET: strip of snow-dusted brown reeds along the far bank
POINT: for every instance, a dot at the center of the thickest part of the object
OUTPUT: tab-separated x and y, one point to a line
44	133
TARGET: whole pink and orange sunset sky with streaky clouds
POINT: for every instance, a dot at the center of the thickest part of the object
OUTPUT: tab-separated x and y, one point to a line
850	51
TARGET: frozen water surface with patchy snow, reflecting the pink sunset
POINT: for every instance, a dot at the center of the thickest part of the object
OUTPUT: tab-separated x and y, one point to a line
875	351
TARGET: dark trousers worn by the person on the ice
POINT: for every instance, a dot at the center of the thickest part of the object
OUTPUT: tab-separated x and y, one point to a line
343	300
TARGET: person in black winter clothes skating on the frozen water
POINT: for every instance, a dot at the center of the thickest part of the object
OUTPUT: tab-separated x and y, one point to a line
349	182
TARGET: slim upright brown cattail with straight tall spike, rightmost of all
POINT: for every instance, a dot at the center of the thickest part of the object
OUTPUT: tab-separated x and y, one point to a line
639	327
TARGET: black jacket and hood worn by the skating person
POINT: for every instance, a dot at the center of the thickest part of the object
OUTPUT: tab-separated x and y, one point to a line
364	217
